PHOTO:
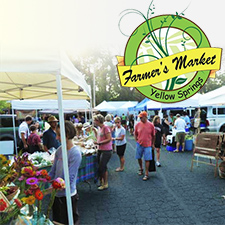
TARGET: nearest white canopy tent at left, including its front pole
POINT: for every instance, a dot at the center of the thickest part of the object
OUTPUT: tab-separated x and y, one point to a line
42	74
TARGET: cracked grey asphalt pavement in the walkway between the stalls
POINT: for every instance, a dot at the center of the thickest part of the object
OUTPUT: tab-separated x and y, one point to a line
172	195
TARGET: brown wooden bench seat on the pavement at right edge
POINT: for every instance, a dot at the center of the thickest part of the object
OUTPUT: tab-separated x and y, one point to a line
208	145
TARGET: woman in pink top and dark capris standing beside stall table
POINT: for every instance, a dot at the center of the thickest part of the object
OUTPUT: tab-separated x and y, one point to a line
104	141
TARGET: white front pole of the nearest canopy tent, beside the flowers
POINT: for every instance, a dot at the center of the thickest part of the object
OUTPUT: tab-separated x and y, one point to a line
64	149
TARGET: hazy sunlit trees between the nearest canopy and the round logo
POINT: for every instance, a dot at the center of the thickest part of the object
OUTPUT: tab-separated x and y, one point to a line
103	65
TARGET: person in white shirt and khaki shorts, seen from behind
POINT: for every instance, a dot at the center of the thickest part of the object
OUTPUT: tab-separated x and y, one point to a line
180	126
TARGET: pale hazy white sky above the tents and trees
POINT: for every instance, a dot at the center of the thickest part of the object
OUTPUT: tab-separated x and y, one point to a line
79	25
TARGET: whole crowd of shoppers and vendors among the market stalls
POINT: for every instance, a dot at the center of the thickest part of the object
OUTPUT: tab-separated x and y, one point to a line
108	133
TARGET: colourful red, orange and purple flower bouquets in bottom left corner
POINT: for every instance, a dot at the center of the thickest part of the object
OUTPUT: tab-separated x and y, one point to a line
32	185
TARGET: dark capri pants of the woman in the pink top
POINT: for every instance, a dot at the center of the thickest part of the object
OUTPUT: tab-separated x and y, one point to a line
103	158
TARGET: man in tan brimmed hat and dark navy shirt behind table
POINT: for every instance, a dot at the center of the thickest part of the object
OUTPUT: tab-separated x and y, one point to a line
49	136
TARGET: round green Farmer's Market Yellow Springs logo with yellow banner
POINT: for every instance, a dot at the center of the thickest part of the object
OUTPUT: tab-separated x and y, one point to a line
168	58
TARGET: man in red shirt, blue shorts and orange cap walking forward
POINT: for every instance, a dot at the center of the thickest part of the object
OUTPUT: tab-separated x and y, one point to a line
144	135
